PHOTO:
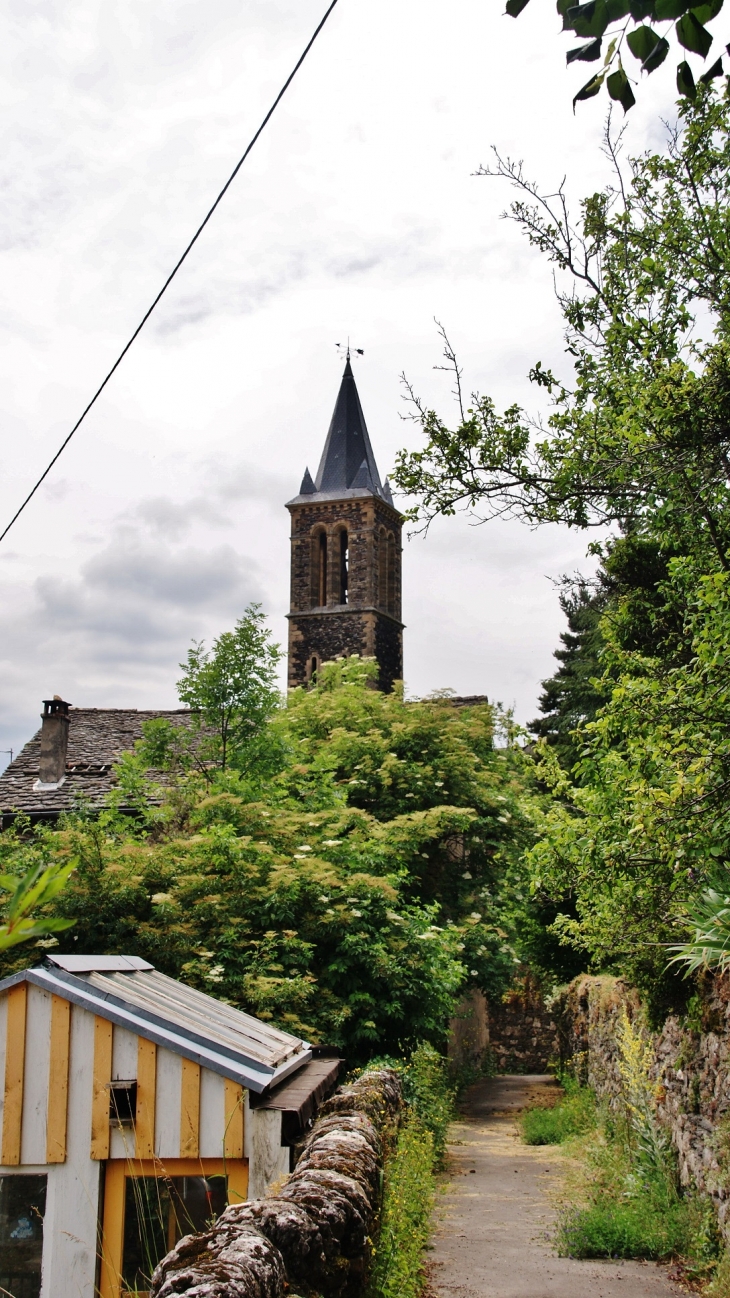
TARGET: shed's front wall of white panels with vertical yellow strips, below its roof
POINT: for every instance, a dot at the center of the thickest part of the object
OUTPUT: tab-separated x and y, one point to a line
57	1064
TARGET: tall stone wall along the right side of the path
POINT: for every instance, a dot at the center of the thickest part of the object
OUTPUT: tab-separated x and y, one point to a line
692	1070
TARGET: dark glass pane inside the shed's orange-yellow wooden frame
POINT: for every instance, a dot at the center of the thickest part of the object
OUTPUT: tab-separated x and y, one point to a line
158	1213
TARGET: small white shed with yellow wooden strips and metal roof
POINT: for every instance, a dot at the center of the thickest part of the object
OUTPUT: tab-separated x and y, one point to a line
133	1110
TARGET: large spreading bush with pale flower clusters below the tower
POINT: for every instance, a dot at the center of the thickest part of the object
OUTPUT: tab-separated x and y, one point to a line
349	896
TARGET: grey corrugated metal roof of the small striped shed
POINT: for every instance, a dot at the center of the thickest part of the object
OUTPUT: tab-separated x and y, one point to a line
181	1020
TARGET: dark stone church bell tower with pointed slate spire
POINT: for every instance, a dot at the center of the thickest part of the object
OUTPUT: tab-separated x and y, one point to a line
345	555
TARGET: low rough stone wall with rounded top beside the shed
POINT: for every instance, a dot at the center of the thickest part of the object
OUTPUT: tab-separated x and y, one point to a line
314	1236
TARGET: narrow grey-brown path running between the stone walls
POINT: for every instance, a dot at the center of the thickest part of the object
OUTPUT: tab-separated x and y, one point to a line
493	1226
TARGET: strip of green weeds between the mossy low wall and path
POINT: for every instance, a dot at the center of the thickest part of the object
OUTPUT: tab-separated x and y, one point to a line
409	1200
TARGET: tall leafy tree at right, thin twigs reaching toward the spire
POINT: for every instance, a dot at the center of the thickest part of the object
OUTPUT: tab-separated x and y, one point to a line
638	439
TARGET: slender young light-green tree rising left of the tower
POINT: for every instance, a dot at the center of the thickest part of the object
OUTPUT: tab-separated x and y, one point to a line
232	690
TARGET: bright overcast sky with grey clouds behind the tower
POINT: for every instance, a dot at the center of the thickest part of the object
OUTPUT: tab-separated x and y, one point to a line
358	215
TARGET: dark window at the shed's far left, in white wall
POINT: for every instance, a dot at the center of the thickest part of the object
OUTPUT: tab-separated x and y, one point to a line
23	1208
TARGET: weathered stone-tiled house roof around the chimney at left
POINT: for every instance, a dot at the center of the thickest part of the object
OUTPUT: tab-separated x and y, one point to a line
98	737
